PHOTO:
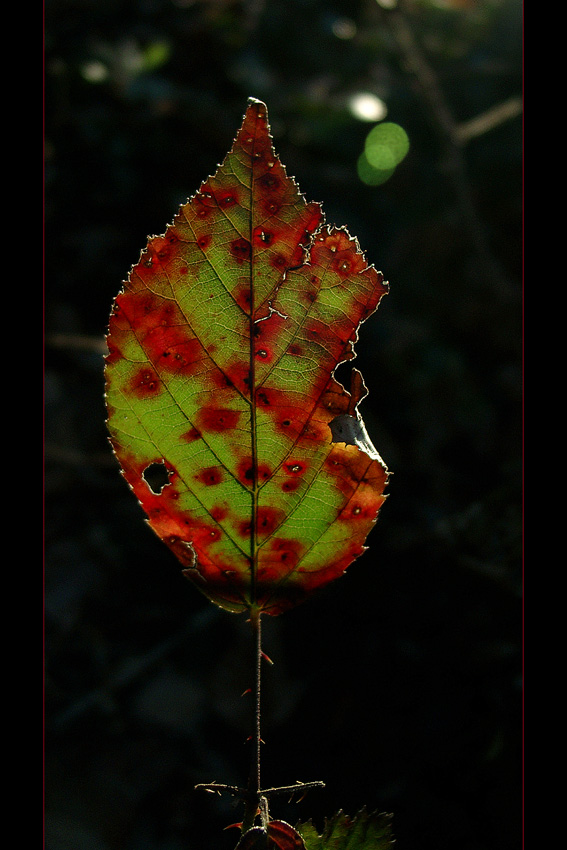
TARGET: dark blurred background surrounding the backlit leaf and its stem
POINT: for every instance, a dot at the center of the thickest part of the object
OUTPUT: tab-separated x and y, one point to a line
399	685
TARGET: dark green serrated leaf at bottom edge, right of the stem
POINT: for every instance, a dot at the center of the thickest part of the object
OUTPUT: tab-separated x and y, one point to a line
366	831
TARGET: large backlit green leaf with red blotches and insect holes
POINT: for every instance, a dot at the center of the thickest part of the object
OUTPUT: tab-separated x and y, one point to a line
248	457
